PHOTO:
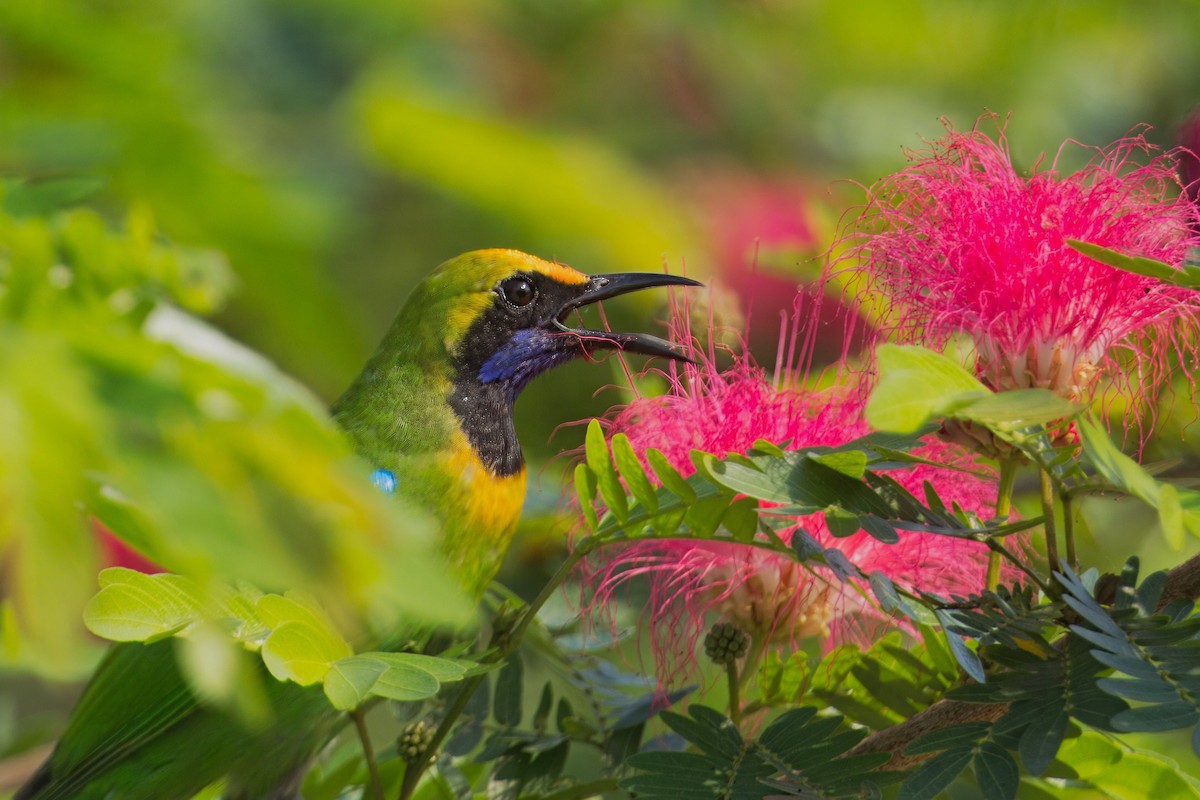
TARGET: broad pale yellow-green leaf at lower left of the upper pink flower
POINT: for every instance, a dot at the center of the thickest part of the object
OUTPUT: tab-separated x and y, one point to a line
915	386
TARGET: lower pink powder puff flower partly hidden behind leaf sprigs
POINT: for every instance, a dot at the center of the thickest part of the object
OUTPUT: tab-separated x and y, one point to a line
772	598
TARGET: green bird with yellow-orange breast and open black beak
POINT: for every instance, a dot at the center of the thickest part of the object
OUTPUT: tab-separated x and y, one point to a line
433	411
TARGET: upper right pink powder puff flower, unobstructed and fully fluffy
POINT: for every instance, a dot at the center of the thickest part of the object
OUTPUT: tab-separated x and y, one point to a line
959	243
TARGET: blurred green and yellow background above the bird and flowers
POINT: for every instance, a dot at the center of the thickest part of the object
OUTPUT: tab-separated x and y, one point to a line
337	152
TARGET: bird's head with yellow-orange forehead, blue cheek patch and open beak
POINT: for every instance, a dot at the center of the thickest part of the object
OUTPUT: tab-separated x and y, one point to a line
503	316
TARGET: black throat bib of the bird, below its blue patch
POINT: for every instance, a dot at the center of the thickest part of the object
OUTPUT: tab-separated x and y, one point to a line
485	413
